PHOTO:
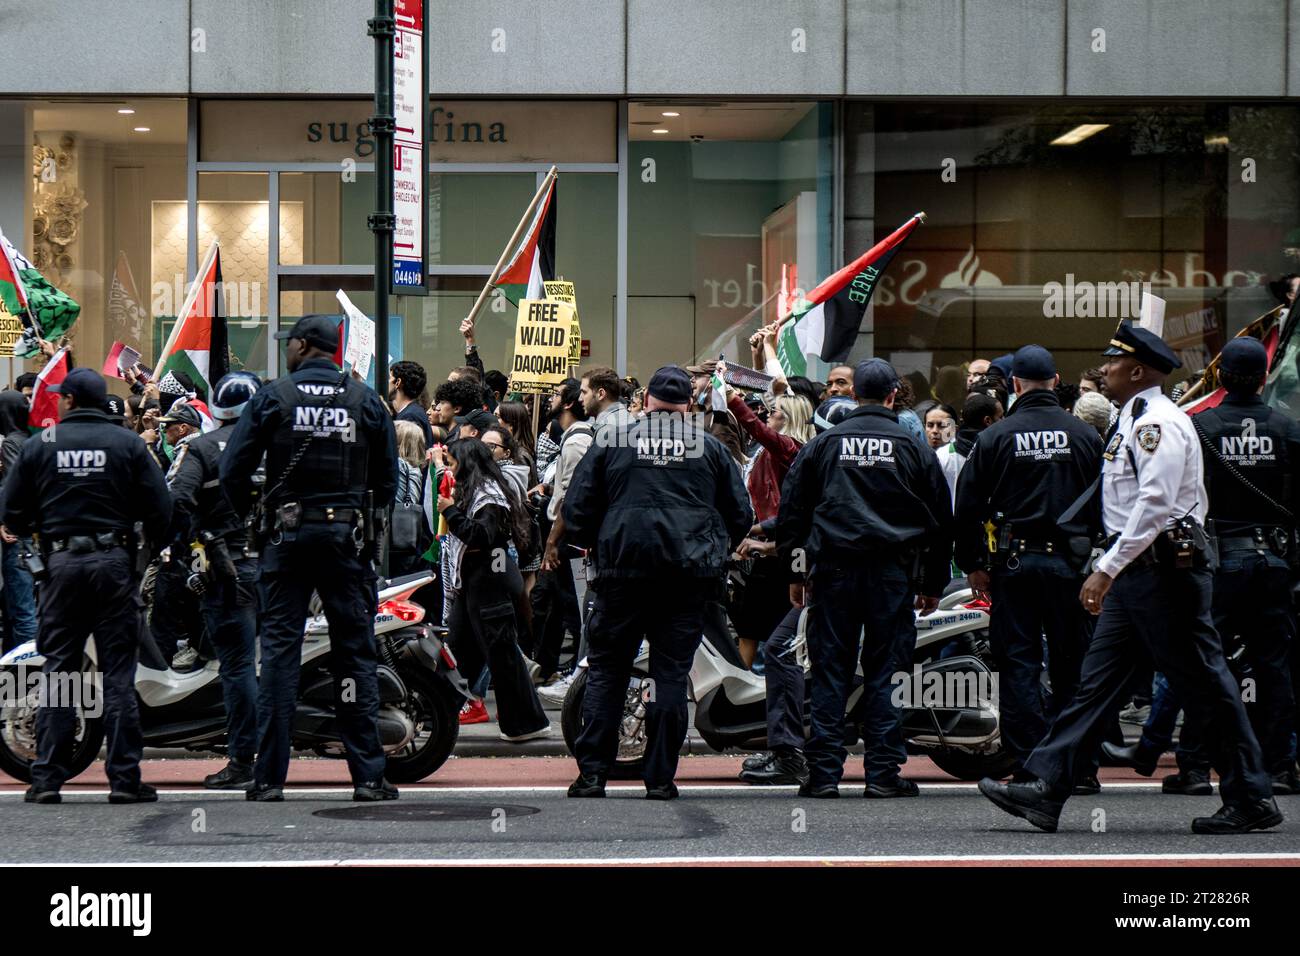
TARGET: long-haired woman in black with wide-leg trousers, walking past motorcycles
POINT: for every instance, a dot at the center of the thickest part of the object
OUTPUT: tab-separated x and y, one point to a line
486	516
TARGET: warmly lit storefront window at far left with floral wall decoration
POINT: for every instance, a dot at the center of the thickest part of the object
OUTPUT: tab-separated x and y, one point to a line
98	187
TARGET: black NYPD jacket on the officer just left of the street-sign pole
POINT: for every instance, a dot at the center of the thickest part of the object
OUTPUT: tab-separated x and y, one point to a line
353	444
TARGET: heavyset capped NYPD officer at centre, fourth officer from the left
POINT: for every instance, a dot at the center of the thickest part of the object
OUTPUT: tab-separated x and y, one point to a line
662	507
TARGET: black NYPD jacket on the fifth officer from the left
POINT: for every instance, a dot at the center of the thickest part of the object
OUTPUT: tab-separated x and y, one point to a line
868	490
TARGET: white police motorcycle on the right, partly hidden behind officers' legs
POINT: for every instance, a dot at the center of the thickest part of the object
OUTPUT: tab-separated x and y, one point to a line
950	698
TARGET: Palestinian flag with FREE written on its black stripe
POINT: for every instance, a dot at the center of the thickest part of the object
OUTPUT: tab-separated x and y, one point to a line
825	326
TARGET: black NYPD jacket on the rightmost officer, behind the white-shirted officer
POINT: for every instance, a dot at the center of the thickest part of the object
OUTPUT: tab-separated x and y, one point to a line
1267	453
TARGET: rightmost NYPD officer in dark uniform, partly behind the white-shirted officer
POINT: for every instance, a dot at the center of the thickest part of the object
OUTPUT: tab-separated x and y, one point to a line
1253	457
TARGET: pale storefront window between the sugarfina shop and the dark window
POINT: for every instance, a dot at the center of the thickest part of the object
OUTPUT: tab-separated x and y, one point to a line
723	202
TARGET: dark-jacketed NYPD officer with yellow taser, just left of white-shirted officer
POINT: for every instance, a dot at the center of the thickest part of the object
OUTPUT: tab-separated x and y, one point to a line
1021	478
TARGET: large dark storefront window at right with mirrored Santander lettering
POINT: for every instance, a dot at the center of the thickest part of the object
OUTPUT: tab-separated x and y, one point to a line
1047	220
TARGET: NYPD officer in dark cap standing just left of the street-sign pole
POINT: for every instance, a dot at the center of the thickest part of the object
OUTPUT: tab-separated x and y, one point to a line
328	439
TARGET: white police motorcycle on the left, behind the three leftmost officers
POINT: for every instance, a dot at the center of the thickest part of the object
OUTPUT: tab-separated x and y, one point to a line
421	697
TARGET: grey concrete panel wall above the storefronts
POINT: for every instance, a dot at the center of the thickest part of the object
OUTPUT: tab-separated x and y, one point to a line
665	47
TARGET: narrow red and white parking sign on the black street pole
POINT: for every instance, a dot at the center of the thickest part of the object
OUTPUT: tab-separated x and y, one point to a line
409	165
